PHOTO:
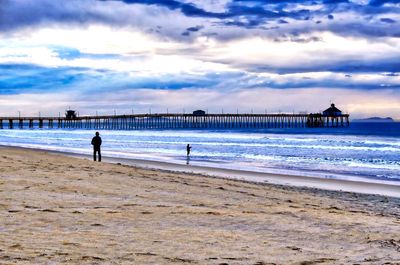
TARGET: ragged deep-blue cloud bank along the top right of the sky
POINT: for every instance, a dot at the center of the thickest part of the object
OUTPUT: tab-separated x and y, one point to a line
255	14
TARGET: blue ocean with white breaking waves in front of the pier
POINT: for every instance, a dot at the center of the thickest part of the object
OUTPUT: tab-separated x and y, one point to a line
364	151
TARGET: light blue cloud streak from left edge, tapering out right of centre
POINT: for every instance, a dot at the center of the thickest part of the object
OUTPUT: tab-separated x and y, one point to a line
28	78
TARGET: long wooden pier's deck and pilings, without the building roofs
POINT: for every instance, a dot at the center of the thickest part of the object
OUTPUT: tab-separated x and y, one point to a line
178	121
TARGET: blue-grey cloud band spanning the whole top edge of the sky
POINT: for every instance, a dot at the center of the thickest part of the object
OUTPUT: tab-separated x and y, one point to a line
255	14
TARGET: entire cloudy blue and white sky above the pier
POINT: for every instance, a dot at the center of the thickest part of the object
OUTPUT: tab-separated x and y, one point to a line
141	56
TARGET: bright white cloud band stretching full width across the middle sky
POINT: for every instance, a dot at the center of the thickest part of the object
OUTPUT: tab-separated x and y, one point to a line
102	48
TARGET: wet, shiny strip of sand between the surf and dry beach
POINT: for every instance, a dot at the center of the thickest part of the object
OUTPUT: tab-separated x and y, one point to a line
245	175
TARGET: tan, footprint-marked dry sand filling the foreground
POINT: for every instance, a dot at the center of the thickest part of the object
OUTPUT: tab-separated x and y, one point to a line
56	209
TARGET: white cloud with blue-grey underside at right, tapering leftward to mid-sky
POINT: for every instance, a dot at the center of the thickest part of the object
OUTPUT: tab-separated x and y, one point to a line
303	53
